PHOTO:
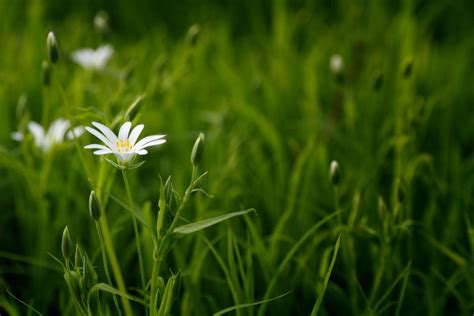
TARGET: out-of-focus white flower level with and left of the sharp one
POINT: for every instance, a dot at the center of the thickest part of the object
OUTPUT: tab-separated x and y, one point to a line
55	134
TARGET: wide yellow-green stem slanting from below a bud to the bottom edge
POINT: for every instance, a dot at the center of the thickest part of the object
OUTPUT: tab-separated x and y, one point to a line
114	263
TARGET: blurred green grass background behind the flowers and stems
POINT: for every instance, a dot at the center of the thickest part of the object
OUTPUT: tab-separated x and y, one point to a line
258	83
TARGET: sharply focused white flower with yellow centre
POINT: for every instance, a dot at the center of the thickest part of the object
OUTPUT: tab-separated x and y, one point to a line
124	145
